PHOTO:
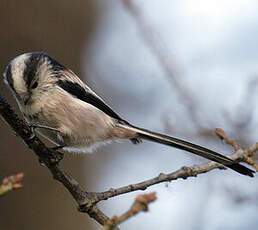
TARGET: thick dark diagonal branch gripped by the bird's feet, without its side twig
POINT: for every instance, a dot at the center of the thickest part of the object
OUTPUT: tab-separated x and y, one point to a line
51	159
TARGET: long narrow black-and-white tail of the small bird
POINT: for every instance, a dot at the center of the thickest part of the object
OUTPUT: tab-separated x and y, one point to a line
193	148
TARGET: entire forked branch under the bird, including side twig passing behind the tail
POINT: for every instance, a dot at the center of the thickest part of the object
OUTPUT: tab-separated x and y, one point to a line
87	202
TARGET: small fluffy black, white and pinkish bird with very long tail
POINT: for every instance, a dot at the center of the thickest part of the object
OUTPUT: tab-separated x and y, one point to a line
67	112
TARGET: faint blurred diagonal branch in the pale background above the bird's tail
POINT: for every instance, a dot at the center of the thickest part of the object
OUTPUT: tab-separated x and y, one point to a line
172	72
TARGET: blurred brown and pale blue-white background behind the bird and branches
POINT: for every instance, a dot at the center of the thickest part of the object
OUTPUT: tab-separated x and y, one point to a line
178	67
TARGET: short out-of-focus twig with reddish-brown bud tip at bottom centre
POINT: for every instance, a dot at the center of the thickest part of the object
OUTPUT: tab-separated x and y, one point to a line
140	205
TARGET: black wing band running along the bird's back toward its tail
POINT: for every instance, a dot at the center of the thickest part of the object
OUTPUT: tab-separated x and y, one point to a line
78	91
